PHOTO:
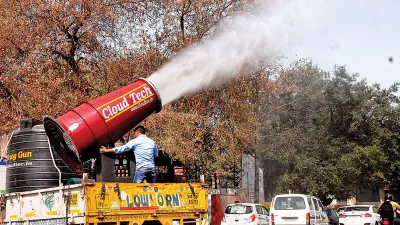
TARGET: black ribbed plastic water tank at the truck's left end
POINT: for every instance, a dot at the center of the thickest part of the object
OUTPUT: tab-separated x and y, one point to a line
30	164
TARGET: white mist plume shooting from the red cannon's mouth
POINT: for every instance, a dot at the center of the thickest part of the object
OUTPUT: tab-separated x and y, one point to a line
267	31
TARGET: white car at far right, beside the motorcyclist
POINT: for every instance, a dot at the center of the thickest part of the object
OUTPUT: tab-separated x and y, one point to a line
359	215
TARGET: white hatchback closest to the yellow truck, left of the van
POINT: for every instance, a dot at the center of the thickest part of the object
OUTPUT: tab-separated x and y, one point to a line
245	214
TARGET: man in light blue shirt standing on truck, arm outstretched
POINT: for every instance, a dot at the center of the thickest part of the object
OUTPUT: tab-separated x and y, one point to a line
145	150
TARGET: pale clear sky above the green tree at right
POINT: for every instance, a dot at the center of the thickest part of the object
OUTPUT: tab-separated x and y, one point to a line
360	34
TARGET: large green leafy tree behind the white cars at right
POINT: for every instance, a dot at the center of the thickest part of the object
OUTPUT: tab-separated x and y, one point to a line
333	134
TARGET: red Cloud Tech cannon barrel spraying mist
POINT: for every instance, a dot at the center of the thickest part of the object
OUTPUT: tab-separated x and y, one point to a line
78	134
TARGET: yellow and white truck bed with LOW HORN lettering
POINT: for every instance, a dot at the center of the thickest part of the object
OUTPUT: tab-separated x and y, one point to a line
109	204
